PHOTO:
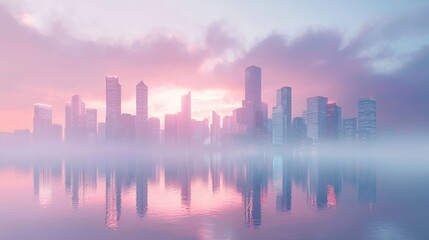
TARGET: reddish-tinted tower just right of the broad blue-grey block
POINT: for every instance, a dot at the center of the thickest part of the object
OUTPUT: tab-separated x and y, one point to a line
333	121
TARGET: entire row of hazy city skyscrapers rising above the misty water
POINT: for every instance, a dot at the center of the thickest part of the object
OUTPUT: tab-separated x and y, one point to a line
322	121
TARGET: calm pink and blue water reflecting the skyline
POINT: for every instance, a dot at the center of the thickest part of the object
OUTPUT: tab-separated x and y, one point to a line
214	196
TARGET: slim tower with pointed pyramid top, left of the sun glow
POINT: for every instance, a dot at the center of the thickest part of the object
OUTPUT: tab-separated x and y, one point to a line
141	110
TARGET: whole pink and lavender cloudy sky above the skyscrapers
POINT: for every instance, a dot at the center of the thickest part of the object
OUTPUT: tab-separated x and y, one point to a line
53	49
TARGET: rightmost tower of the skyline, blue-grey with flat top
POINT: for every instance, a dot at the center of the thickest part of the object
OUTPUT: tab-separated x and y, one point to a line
367	119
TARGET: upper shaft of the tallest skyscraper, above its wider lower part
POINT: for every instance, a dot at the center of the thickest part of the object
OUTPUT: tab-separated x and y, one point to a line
253	85
